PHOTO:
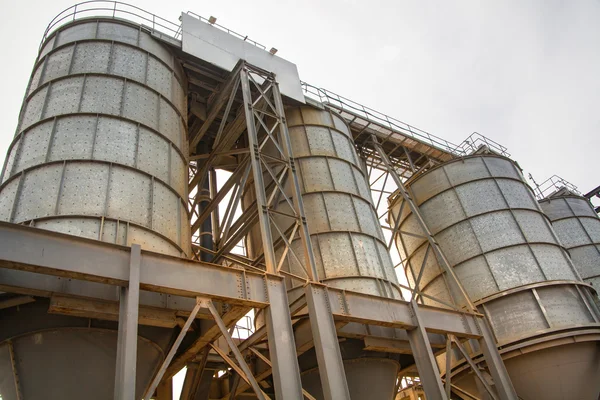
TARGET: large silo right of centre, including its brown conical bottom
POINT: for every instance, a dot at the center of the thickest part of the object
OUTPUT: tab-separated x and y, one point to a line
510	262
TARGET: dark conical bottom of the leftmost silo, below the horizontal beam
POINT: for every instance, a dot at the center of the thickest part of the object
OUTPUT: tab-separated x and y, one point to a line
59	357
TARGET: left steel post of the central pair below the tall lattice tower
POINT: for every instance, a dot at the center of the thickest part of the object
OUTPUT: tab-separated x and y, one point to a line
282	347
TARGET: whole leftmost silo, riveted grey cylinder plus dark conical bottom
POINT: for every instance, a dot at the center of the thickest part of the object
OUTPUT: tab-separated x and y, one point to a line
100	152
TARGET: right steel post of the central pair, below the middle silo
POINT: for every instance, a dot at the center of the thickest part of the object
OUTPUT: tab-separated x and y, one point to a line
327	347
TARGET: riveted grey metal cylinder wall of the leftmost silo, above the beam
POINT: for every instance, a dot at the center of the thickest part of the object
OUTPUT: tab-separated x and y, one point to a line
101	148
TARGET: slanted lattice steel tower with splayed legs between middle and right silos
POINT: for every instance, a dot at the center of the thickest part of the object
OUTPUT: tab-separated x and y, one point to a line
424	357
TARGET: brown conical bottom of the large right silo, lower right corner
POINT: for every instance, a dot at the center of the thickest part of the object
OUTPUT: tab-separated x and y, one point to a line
567	372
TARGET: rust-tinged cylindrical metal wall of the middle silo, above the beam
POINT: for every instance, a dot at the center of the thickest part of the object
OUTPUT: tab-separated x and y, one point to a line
347	239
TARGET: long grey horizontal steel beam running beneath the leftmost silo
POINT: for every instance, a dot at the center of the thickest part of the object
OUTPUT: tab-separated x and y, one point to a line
51	253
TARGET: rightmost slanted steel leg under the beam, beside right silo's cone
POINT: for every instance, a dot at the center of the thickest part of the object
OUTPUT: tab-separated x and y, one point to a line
494	362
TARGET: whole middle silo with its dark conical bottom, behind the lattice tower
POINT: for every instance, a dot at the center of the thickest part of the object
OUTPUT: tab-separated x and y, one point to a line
347	240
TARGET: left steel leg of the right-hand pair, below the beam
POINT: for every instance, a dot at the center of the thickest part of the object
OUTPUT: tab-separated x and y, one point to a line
424	358
